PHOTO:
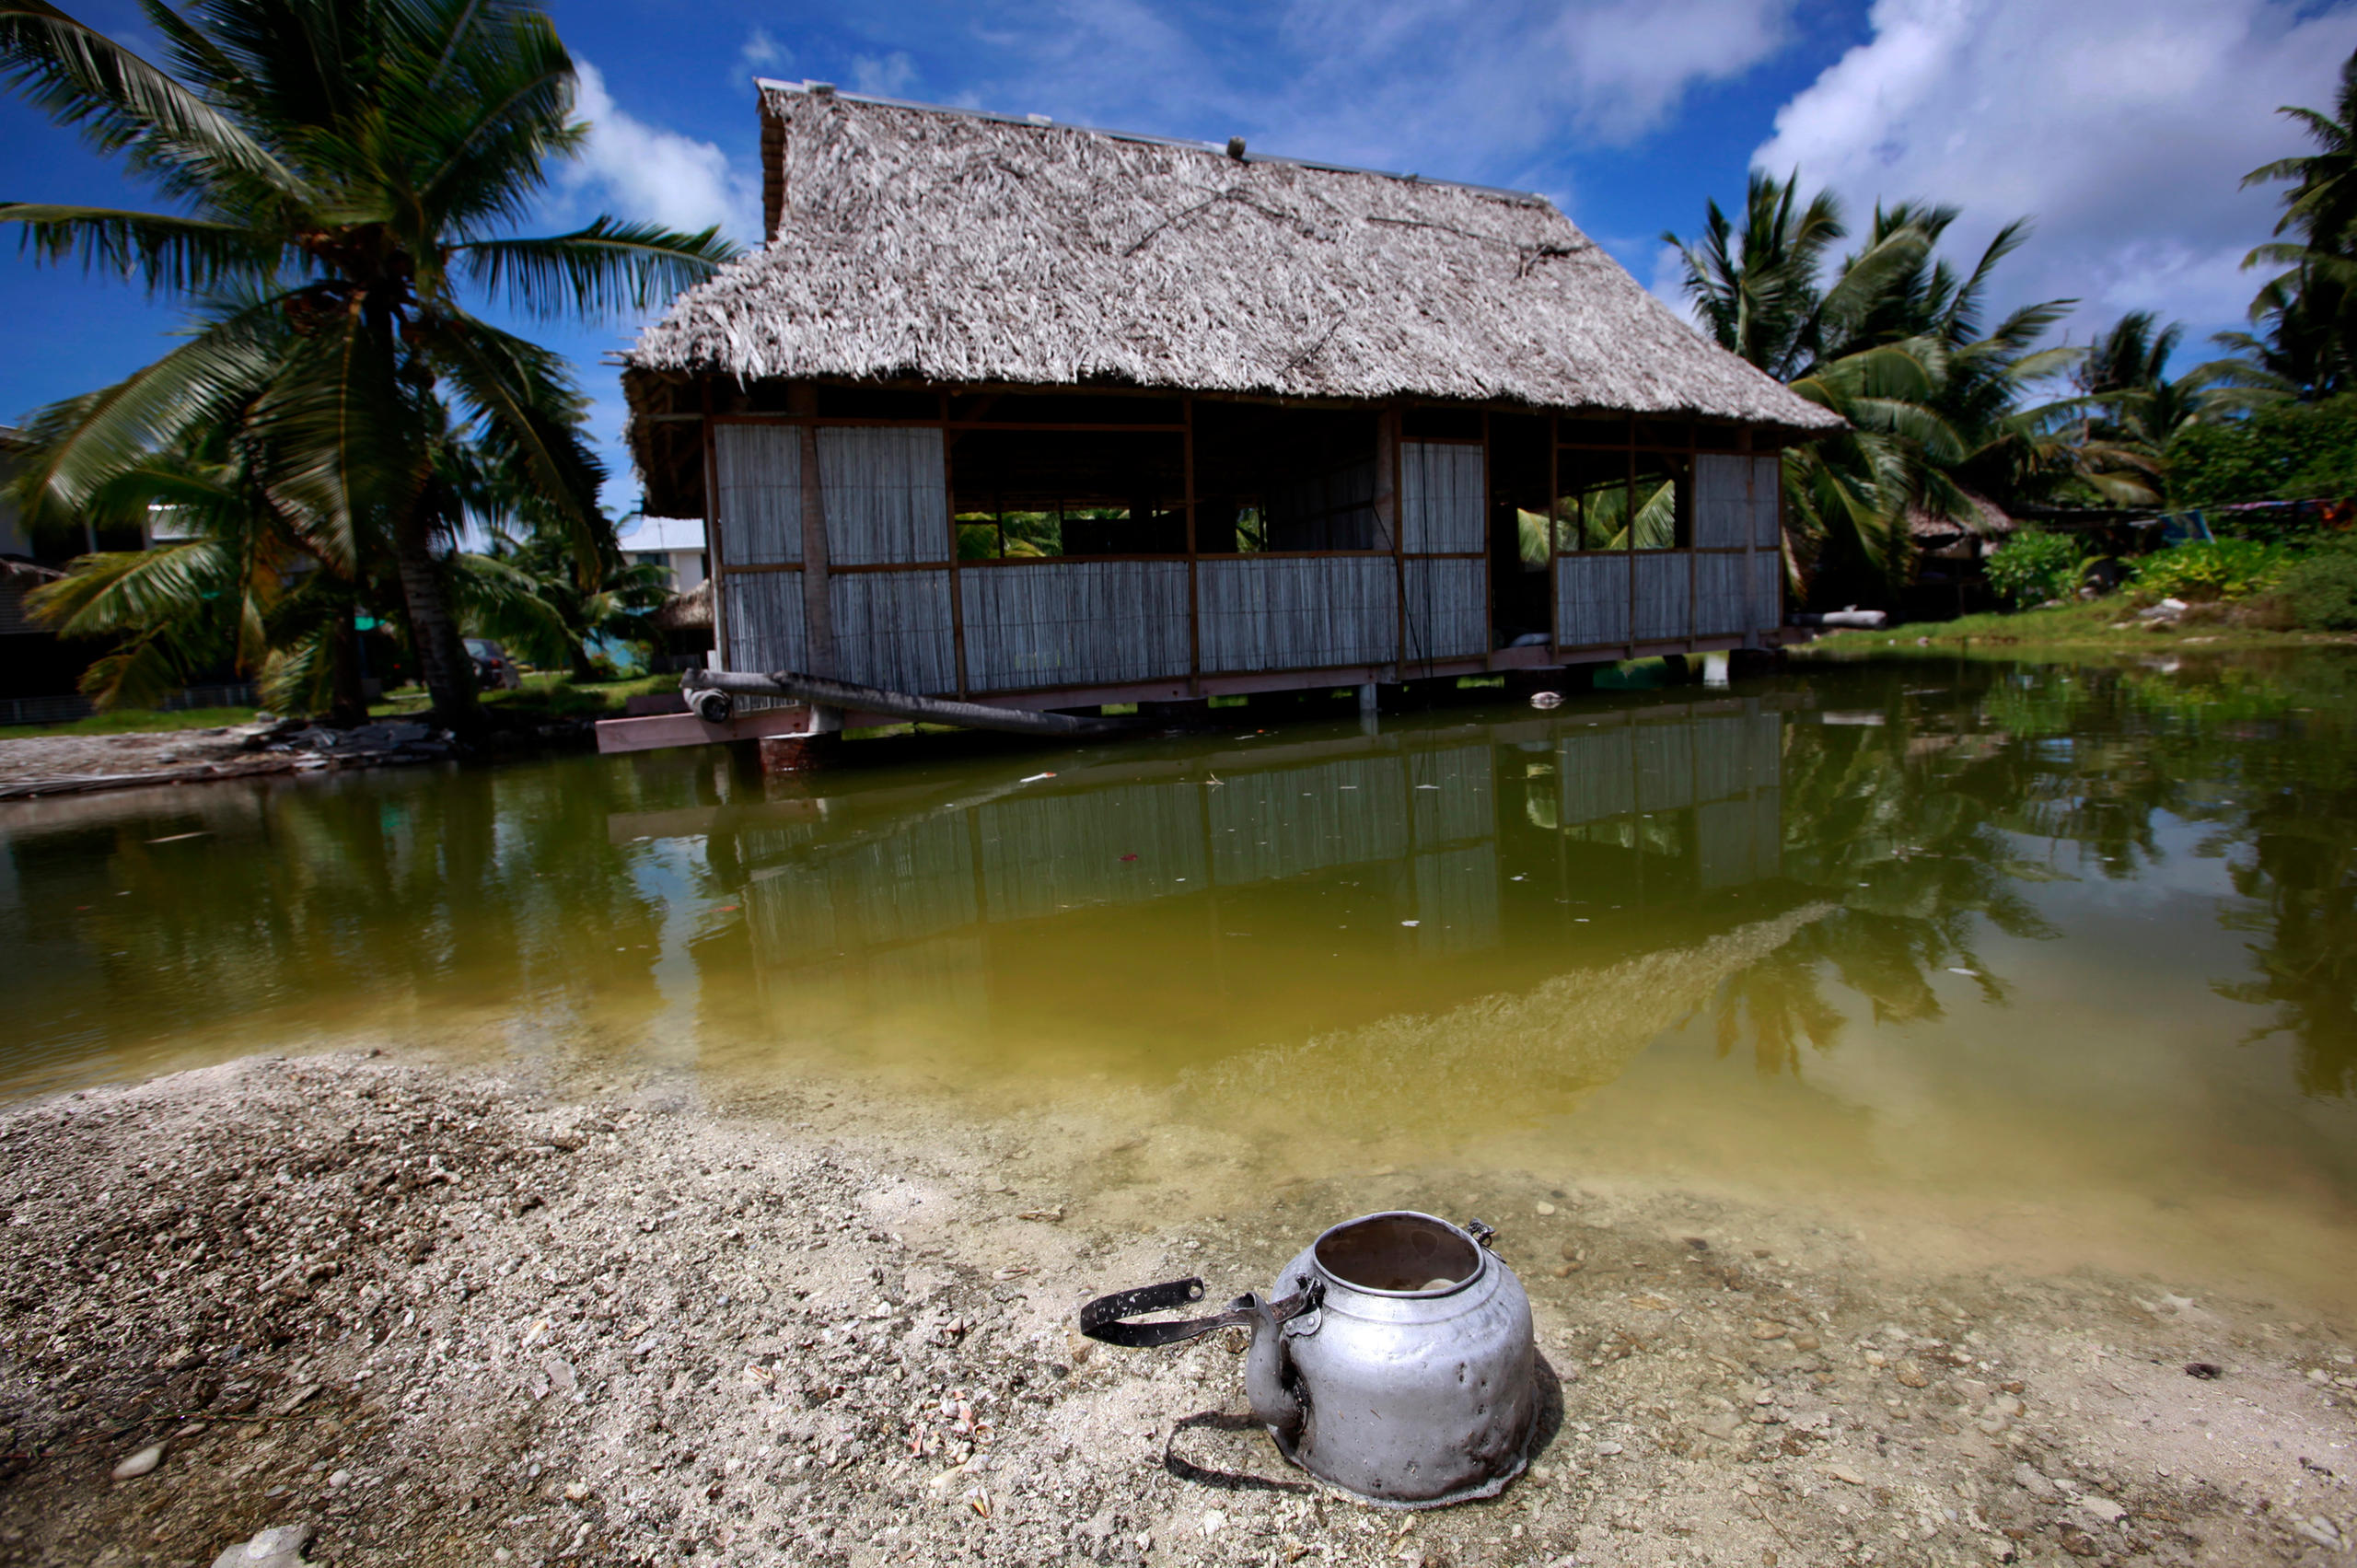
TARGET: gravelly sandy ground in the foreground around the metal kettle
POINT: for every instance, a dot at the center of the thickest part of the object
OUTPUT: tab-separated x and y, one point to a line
447	1317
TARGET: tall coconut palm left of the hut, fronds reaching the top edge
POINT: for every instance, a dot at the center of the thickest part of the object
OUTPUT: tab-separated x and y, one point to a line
338	171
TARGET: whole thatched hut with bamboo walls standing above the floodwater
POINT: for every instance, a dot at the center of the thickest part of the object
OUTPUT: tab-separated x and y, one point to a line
1045	416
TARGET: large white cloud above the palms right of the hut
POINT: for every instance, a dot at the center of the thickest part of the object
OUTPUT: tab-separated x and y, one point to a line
2120	126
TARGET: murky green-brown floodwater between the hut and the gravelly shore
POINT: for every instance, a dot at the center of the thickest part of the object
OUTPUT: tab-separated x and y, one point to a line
2035	966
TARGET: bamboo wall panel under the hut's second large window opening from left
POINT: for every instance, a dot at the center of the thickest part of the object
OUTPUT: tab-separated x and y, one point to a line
1298	614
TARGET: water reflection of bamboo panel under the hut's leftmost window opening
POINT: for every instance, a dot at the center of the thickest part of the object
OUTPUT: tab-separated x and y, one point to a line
1064	852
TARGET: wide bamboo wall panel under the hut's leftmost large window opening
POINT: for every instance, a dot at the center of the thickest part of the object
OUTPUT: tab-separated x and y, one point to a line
1074	624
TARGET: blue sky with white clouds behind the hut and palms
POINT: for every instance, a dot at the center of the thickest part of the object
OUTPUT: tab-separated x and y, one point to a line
2120	126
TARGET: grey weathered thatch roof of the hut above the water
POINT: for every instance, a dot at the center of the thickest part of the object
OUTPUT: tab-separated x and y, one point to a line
956	246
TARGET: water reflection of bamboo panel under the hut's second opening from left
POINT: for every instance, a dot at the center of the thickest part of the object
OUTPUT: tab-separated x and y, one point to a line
1345	812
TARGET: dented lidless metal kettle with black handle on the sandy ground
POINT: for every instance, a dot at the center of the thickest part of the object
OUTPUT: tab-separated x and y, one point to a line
1397	1366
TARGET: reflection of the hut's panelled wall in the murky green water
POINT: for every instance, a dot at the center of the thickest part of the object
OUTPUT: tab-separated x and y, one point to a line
1401	831
